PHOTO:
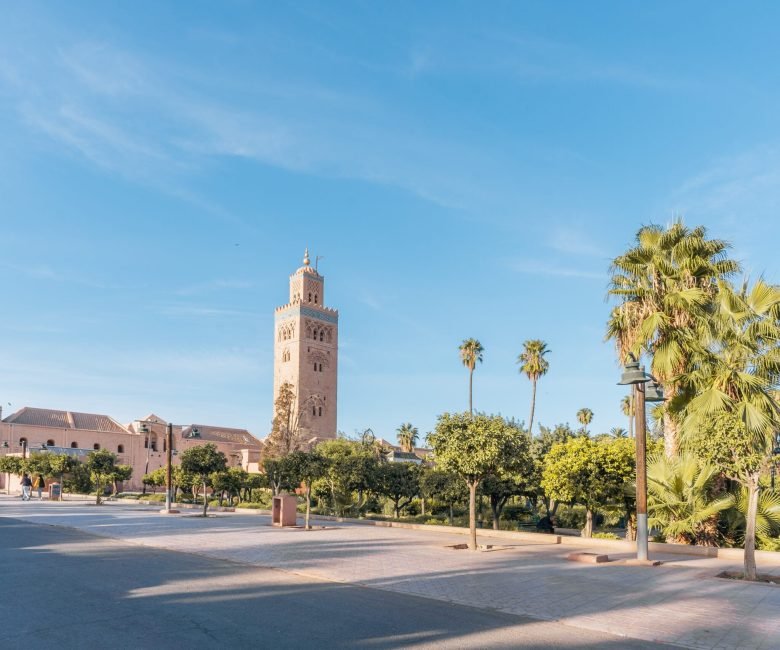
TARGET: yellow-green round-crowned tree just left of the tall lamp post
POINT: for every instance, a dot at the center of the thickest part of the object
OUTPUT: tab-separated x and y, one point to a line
589	472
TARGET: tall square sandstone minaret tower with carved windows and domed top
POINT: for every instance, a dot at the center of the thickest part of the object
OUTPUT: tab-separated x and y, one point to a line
306	352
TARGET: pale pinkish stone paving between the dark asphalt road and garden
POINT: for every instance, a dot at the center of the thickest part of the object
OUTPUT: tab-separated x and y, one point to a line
679	603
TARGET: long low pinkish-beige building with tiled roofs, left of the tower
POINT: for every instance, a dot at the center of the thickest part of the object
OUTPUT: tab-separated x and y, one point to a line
141	444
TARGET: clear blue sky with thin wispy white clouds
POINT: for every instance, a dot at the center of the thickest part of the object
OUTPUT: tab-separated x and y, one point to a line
464	170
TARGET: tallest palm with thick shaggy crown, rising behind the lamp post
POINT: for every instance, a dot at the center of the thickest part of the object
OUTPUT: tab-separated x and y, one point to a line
665	284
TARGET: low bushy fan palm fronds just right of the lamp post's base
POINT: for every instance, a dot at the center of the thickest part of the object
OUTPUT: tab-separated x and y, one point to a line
680	499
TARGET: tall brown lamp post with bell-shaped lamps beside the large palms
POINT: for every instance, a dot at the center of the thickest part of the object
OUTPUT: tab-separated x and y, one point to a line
645	389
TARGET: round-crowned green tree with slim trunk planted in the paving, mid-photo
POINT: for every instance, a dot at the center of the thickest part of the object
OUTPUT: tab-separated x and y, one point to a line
476	447
